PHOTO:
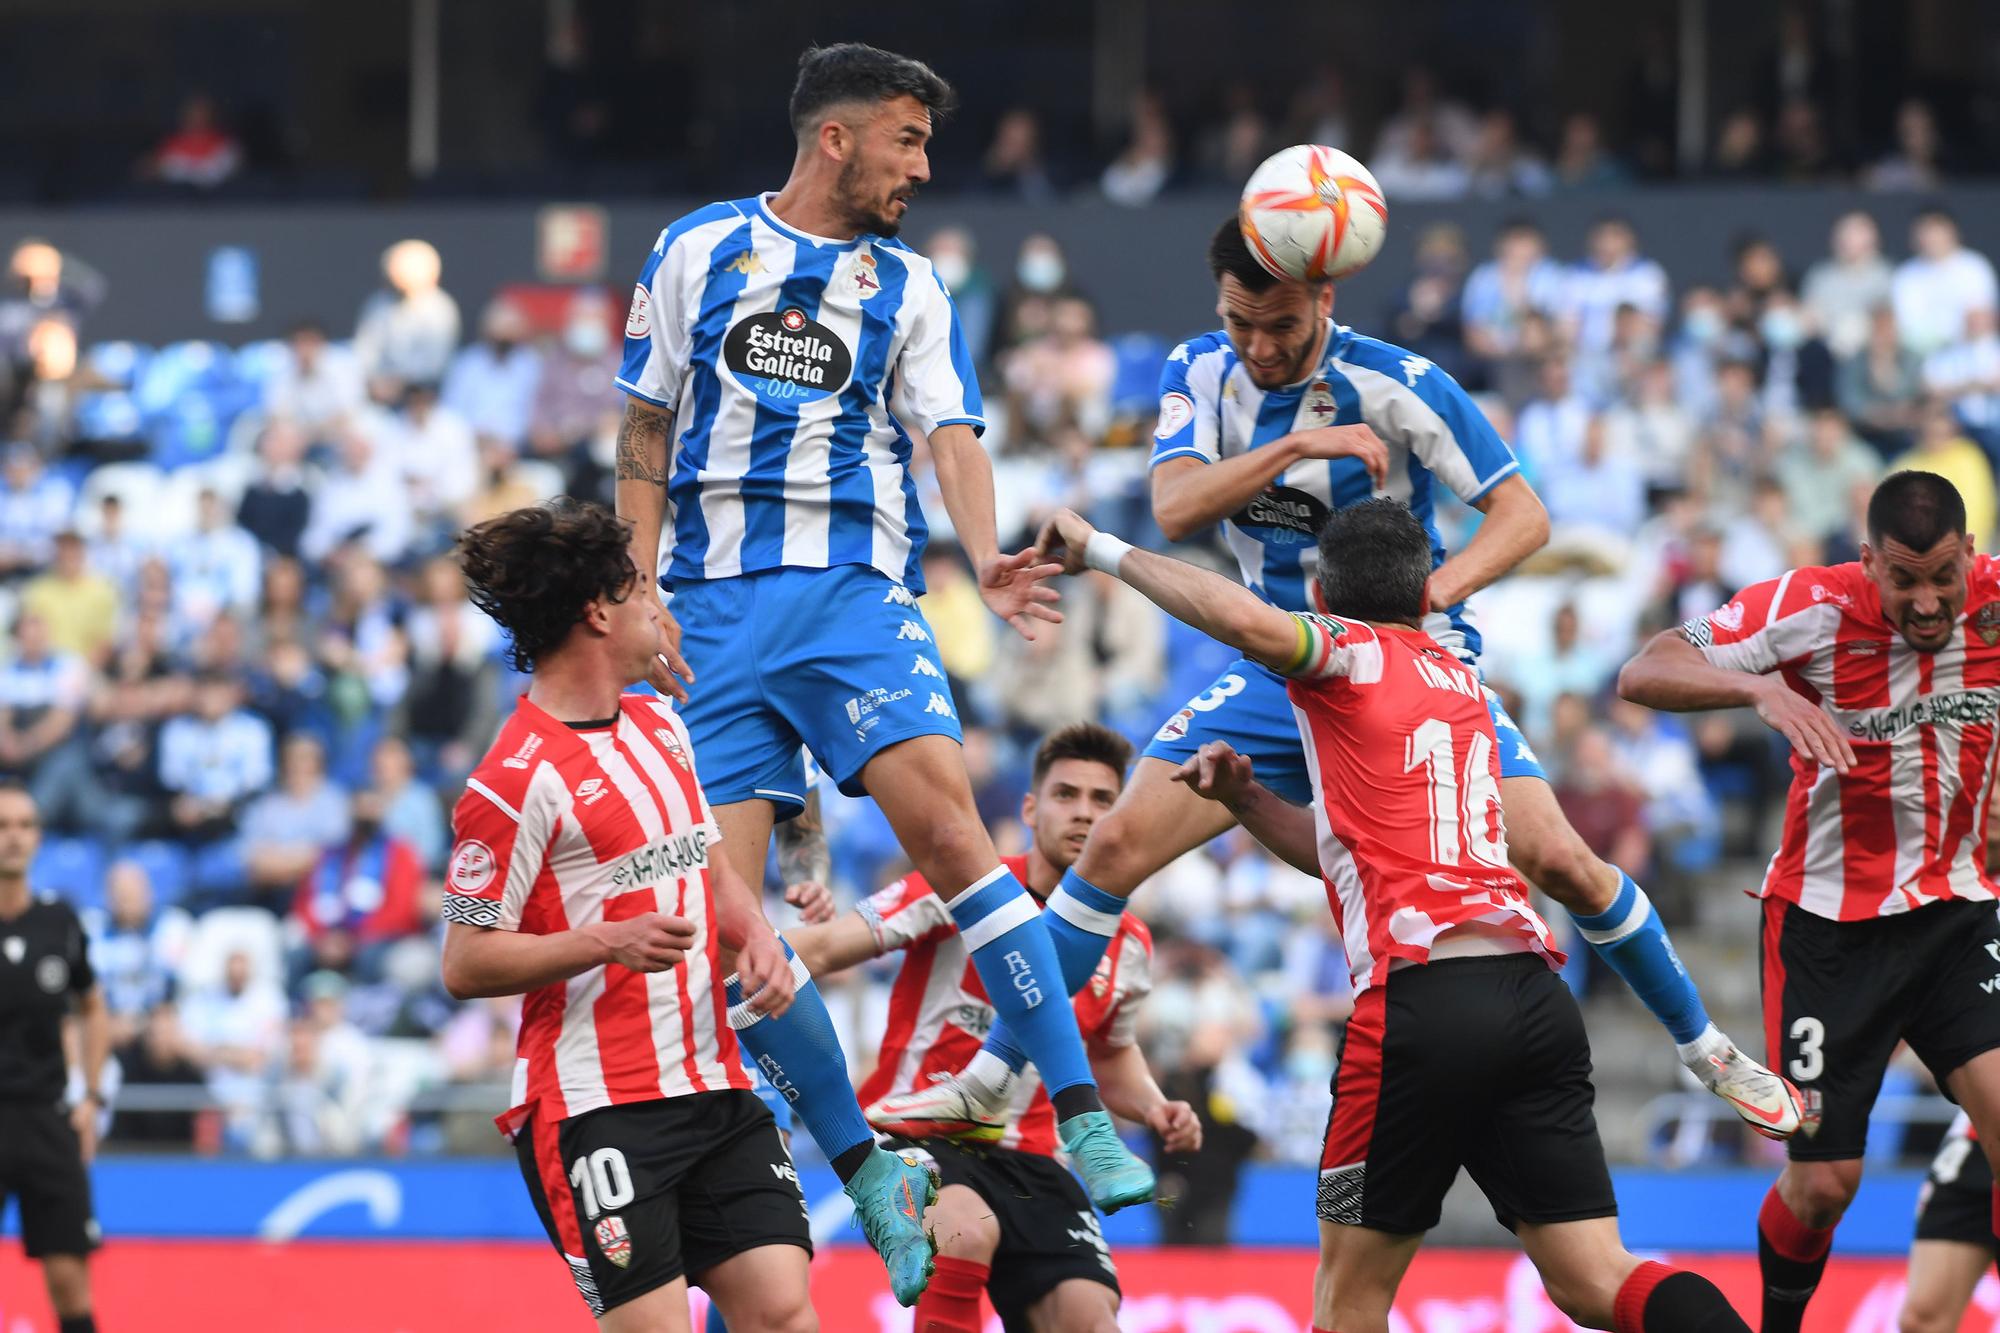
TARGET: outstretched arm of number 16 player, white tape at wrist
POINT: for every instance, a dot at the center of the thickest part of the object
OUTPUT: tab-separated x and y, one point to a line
1211	603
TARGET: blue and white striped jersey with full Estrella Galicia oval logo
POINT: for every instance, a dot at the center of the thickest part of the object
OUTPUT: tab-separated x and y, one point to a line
793	365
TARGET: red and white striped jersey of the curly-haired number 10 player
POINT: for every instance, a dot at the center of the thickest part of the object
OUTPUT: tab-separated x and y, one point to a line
563	828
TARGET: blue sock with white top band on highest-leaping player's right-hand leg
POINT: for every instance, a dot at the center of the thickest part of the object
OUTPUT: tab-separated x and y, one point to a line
1023	976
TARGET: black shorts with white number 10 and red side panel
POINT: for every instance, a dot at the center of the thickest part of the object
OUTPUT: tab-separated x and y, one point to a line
649	1192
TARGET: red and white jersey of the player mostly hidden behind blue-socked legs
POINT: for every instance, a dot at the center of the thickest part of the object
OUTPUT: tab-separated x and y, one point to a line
939	1010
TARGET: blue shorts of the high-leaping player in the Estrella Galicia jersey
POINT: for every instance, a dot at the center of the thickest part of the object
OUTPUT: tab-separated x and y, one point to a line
835	659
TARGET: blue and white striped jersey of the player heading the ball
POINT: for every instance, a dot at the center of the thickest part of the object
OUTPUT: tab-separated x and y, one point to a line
1435	435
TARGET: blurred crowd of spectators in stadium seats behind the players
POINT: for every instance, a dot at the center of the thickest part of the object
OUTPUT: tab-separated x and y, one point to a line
245	682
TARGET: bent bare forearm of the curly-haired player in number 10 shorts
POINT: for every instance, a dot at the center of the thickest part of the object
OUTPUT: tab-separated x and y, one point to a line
483	962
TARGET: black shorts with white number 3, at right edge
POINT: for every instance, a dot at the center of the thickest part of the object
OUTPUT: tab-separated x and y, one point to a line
1839	996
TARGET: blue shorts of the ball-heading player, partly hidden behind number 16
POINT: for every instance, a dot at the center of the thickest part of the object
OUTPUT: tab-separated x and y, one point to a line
1249	708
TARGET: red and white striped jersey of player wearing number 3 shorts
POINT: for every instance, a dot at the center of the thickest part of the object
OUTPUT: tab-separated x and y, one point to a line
1907	826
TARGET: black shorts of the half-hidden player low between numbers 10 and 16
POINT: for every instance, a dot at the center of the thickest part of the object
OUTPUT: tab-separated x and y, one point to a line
1049	1232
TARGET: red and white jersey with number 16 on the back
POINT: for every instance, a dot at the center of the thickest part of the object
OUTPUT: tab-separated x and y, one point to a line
1407	780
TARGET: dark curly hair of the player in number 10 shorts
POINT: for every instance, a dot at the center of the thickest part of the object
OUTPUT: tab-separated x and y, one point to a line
535	571
